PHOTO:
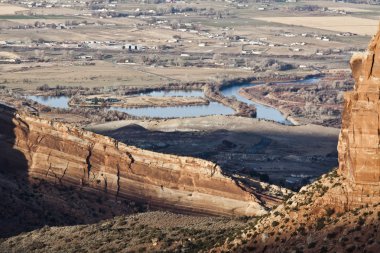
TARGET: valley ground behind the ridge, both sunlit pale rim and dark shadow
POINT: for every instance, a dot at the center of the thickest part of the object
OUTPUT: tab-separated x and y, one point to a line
288	155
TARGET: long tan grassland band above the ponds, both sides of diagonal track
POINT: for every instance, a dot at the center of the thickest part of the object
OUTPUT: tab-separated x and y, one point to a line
29	76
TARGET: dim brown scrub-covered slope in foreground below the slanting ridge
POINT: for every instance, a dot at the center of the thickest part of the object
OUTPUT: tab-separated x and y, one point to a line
145	232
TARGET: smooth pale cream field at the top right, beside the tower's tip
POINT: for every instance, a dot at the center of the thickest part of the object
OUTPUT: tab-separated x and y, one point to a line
360	26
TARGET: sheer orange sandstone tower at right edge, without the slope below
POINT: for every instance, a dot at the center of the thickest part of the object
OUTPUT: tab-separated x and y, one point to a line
359	152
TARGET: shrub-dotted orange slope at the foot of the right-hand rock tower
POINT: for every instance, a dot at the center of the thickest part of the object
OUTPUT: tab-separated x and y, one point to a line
305	223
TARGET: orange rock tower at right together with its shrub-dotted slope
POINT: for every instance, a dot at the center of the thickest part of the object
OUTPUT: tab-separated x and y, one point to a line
341	211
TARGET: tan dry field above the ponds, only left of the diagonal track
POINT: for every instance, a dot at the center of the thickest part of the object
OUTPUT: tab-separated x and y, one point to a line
30	76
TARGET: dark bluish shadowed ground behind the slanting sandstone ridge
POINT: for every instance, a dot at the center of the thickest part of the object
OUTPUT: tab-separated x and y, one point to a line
288	159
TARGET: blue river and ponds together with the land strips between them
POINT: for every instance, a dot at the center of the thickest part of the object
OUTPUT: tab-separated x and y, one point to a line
137	102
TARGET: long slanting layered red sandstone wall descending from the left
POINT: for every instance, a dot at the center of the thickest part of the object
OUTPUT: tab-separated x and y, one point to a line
67	155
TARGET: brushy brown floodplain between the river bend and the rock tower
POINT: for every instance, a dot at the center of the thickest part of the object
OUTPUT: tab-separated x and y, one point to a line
307	103
